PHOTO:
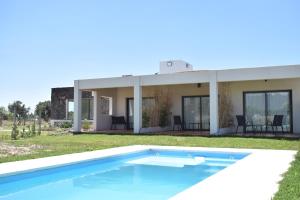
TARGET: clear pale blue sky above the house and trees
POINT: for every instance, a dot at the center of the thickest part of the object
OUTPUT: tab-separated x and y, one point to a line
51	43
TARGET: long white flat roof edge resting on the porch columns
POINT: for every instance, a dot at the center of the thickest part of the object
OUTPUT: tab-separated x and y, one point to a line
195	76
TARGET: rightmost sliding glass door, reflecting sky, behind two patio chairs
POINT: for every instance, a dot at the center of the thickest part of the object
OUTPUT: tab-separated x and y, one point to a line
260	108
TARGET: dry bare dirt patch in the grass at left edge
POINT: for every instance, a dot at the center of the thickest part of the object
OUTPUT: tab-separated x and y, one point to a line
11	150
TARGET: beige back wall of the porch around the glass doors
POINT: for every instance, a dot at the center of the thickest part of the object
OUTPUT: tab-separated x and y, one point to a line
236	90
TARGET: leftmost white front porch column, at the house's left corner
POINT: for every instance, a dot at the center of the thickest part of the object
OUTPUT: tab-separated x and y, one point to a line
77	107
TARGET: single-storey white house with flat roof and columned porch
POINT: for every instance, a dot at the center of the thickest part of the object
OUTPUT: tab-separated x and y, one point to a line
202	98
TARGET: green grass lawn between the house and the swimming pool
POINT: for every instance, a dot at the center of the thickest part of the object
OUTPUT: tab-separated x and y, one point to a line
57	145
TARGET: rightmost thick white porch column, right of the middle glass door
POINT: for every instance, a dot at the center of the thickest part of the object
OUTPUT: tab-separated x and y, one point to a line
214	104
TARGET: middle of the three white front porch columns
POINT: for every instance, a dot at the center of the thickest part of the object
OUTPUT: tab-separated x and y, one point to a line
137	121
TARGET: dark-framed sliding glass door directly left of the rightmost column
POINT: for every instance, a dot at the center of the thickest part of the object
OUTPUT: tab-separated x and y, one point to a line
195	112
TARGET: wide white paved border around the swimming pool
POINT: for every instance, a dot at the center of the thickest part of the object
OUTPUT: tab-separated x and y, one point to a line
254	177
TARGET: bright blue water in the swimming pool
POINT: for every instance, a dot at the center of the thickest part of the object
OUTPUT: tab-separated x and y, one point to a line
150	174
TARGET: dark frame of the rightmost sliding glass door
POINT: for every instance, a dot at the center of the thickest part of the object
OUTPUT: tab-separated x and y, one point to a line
265	92
